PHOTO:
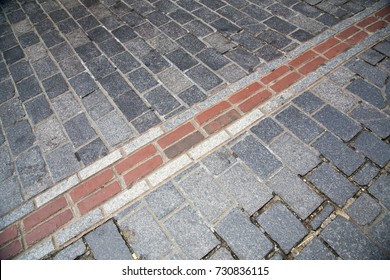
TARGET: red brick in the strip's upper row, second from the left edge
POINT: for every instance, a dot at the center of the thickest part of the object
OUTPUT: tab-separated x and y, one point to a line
44	212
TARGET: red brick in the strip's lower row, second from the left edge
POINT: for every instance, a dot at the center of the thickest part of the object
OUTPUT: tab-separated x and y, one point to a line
48	227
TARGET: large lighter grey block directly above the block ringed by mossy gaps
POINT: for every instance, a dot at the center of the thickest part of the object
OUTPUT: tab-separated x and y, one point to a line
295	192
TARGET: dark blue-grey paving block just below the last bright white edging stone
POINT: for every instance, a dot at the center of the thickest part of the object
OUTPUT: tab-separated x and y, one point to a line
257	157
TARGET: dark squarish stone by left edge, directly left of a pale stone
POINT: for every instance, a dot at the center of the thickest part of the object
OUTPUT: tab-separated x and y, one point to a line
20	137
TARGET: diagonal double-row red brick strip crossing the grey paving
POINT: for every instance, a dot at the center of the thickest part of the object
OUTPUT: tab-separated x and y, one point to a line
208	129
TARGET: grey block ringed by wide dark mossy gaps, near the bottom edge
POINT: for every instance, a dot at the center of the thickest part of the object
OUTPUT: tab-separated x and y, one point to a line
278	220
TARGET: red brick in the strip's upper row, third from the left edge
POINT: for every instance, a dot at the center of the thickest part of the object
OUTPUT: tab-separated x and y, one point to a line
91	185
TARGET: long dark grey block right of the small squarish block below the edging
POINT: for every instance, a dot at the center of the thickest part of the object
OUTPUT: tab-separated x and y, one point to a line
300	124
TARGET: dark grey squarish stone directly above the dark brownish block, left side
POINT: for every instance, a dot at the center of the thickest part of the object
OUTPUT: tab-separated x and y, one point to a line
79	130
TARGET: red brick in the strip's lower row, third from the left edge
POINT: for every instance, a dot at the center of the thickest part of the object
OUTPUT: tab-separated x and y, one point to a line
98	198
